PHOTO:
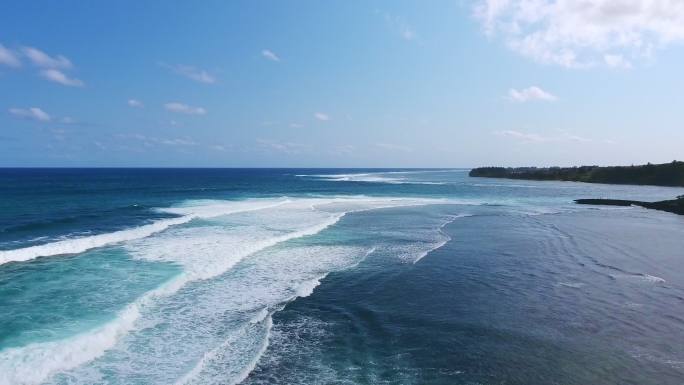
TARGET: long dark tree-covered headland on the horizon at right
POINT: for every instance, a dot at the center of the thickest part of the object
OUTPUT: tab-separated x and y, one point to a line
666	174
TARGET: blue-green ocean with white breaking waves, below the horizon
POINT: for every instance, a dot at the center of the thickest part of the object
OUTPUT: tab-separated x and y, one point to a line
334	276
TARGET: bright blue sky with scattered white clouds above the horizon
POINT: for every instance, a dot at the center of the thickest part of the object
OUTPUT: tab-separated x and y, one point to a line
459	83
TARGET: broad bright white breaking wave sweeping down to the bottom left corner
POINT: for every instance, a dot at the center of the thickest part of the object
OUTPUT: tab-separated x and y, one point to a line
205	251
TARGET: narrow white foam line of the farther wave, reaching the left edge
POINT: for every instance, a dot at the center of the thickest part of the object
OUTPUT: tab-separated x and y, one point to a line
80	245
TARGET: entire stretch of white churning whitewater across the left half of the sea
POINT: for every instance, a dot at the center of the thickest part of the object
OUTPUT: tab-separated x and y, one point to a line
208	238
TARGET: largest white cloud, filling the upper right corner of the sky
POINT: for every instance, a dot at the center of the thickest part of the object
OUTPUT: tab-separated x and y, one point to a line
580	33
